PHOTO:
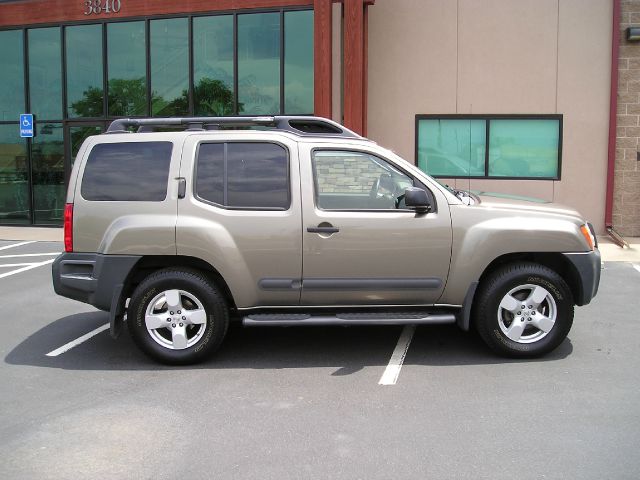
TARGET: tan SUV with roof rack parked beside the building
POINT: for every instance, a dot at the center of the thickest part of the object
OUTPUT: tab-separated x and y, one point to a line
299	221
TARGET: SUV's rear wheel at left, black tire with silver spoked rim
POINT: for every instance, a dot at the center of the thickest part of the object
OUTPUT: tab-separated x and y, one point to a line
193	341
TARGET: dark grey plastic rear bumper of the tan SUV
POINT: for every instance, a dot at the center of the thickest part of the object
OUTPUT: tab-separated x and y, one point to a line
91	277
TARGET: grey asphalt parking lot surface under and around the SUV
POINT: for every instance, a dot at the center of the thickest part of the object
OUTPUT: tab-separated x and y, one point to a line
307	402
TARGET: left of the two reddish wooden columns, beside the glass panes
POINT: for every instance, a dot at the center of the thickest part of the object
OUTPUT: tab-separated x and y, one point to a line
322	57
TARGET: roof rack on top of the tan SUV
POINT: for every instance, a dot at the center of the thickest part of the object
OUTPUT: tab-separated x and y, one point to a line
299	125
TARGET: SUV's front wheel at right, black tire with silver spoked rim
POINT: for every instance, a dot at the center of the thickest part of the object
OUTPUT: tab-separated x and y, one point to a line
494	318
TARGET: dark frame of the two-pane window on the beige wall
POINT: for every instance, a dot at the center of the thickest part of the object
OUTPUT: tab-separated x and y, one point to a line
488	118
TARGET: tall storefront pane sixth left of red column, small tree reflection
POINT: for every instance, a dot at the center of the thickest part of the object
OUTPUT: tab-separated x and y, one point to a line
85	94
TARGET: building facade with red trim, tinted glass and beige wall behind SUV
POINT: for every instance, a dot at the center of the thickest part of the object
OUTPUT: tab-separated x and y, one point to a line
510	96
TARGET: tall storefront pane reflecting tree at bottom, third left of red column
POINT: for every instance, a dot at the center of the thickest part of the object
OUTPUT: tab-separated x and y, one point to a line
213	65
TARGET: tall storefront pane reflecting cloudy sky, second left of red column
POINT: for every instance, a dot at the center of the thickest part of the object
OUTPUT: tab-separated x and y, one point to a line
259	63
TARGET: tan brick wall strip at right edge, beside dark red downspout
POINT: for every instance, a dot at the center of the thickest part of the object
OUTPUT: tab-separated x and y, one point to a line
626	204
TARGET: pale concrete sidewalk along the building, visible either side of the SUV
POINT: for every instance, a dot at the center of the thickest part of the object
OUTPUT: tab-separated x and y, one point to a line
609	250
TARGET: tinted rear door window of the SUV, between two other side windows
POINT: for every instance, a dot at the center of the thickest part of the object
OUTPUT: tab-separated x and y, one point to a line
243	175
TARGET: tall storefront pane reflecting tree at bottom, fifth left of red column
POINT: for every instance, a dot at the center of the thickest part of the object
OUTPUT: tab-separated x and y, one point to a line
127	67
